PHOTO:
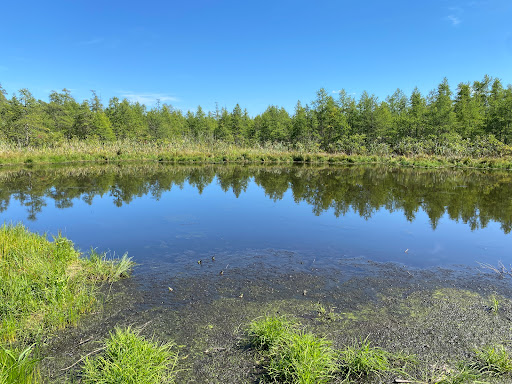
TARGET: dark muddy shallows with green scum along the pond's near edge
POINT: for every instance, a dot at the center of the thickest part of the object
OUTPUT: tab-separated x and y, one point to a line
439	315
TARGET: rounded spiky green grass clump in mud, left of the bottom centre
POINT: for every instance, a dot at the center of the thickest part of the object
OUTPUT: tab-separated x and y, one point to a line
128	358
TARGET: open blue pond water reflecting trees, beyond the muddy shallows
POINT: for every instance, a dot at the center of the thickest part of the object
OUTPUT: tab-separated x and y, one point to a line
175	215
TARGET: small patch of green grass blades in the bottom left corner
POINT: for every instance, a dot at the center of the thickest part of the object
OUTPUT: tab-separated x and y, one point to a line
19	366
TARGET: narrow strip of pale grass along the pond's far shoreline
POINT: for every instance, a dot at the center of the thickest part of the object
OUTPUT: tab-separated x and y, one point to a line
204	154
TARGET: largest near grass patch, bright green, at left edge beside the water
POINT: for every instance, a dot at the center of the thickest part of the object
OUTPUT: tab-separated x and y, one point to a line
46	284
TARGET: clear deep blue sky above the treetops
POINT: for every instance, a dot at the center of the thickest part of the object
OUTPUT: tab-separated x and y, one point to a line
256	53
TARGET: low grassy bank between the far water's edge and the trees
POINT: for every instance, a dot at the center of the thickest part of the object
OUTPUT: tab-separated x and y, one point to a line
186	151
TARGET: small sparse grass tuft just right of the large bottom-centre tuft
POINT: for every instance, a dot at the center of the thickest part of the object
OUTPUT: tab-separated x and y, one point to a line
362	360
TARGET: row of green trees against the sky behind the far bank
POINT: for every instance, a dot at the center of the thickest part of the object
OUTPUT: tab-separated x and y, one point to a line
478	113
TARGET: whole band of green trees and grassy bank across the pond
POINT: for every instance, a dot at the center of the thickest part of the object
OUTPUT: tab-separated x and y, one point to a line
469	127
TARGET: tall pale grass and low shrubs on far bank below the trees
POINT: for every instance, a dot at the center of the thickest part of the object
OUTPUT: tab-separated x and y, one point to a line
450	151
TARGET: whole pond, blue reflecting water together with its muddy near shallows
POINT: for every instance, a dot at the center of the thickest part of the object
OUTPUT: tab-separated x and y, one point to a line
352	251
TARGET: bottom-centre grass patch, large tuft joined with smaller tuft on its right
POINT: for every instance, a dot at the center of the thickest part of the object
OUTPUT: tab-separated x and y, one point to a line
294	356
